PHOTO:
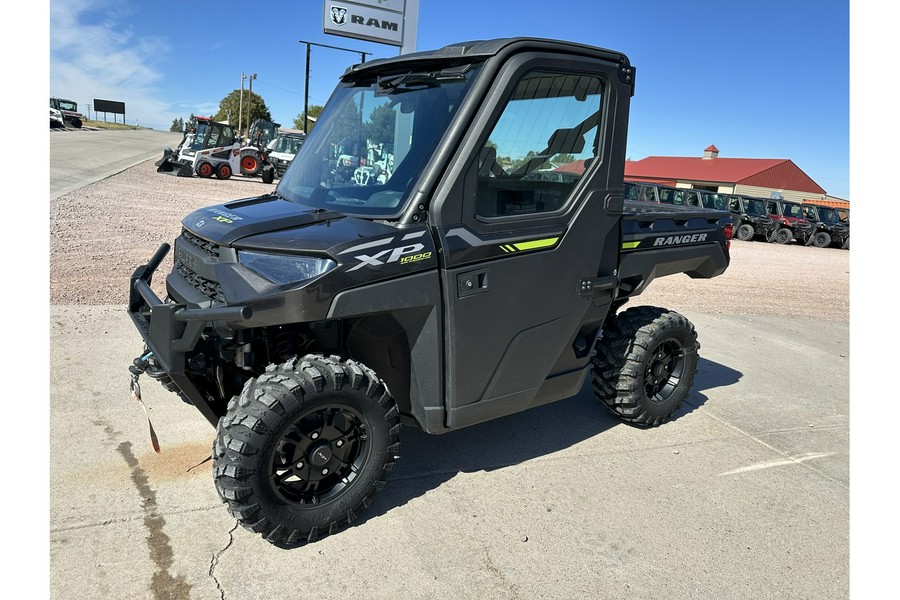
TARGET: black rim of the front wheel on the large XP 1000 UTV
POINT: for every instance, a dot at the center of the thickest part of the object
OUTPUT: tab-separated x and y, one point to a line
319	455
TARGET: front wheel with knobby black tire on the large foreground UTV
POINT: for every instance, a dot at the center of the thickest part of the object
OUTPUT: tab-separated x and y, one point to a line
304	447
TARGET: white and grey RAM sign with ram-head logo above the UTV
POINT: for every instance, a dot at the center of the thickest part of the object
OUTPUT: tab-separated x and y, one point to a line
373	21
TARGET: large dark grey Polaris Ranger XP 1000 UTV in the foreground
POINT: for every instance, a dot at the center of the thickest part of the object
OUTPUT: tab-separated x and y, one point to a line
306	324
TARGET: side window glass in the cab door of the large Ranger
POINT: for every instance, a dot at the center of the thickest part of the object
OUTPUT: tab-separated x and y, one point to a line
541	146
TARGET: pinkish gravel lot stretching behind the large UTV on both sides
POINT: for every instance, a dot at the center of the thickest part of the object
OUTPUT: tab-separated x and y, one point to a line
101	232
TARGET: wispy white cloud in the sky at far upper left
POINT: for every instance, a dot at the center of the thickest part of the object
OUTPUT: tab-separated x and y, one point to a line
94	53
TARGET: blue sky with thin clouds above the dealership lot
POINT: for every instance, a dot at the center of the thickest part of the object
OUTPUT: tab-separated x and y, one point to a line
762	79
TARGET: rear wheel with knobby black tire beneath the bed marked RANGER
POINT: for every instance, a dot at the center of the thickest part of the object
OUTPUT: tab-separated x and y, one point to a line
645	364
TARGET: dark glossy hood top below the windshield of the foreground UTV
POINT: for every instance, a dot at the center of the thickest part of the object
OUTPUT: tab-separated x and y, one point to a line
226	223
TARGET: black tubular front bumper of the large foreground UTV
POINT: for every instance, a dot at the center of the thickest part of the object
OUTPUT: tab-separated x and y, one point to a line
171	330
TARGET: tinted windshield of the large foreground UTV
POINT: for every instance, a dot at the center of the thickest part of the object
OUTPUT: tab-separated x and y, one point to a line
373	140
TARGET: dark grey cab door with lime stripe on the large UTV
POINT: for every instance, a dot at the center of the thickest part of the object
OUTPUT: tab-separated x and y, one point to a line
529	235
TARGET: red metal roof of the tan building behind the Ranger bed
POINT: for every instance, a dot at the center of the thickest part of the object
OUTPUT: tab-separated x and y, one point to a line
777	173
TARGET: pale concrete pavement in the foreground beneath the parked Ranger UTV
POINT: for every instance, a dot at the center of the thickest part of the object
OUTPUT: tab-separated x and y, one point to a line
744	494
